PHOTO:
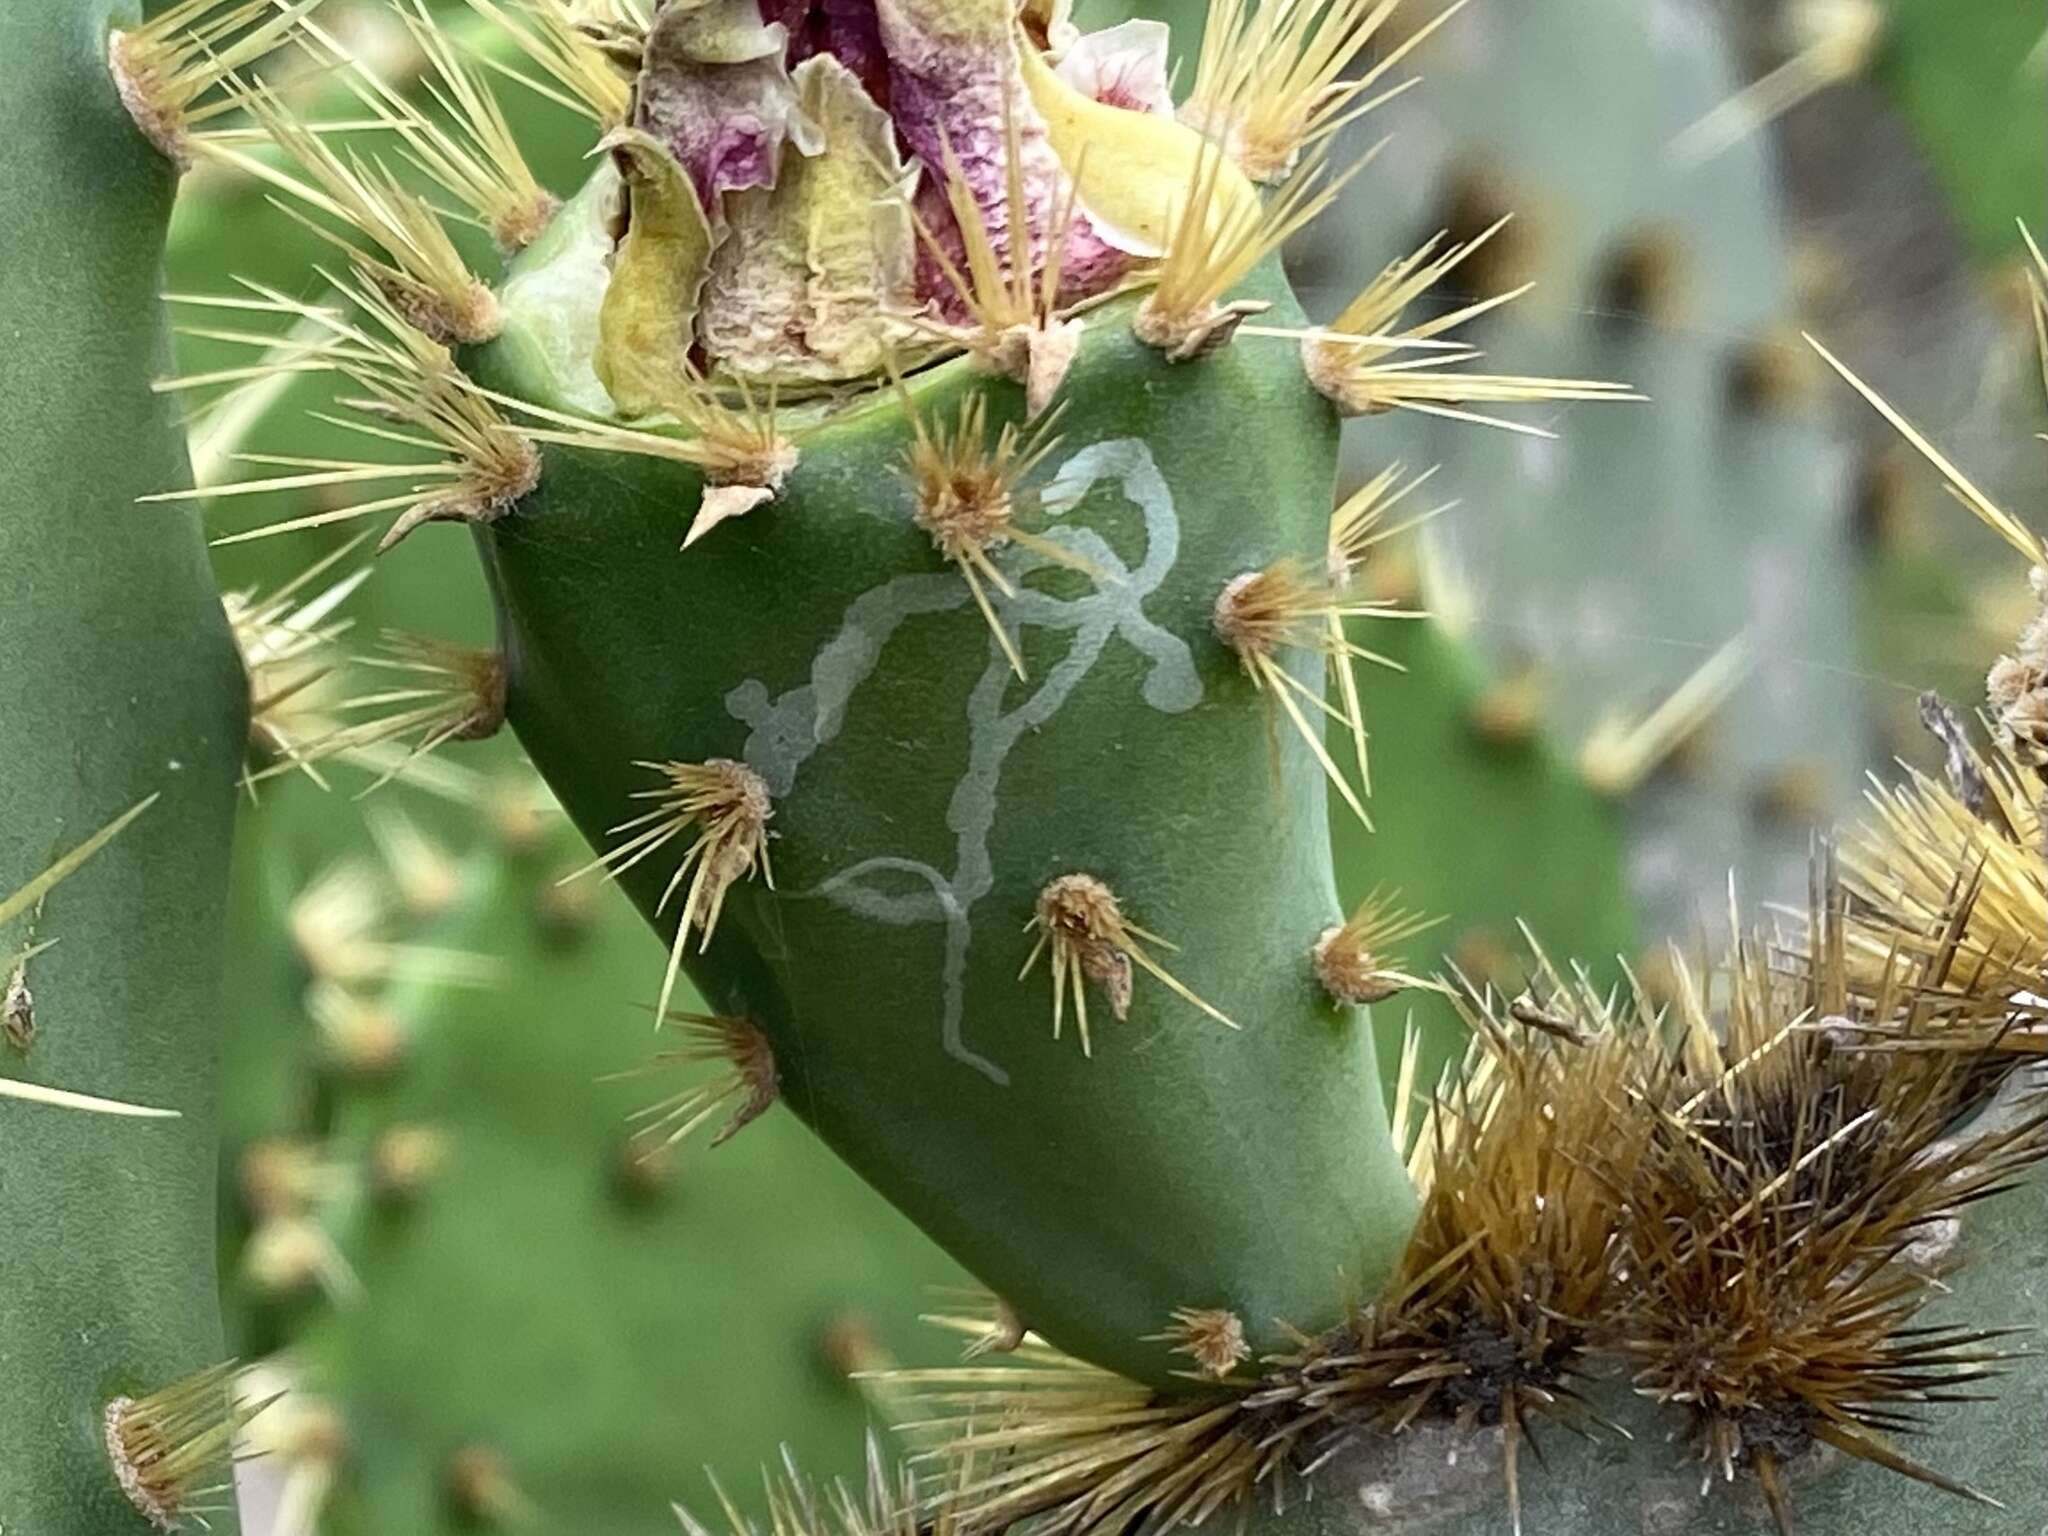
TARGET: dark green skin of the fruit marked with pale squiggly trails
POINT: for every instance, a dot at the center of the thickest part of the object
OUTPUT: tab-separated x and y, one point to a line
826	644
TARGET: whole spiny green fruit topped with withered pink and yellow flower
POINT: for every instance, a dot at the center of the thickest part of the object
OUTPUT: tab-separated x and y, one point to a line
773	232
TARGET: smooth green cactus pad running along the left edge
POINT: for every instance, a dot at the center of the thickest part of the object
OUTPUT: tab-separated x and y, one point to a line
118	681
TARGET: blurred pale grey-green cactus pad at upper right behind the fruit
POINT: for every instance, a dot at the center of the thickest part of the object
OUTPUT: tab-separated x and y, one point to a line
1680	642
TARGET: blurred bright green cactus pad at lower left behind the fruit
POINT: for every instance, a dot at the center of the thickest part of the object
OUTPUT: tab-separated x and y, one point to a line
595	1316
